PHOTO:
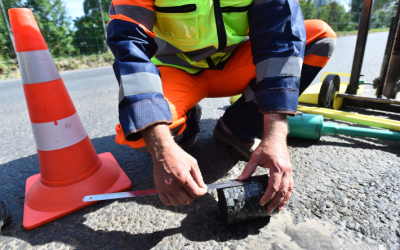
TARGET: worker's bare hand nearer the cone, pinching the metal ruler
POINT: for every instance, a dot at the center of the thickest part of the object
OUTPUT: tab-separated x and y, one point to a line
176	173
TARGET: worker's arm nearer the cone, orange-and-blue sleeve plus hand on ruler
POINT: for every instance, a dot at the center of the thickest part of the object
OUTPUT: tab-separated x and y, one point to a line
143	110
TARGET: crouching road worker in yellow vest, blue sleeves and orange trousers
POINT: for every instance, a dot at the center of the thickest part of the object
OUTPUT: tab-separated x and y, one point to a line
169	55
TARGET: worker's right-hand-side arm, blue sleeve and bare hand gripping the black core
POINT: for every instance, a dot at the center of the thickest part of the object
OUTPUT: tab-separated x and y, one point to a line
278	38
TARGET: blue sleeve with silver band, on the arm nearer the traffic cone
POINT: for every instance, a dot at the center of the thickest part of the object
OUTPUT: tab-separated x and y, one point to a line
141	99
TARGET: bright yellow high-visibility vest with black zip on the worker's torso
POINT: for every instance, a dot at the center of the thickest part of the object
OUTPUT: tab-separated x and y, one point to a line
196	35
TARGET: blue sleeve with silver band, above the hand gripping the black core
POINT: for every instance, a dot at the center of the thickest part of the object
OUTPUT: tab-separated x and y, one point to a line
278	38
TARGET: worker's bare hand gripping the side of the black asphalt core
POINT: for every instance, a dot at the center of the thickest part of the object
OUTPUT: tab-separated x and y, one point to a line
273	153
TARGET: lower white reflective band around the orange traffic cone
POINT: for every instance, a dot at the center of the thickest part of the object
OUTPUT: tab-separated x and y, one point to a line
58	134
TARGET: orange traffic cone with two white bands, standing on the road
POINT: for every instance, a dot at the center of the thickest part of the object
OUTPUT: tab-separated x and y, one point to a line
69	165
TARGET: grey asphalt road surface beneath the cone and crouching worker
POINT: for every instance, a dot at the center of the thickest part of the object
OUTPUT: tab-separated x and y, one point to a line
346	194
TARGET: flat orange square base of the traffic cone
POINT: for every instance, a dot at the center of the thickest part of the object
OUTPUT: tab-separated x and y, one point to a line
34	217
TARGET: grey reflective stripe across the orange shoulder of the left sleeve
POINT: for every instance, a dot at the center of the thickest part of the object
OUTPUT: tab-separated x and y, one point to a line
139	14
